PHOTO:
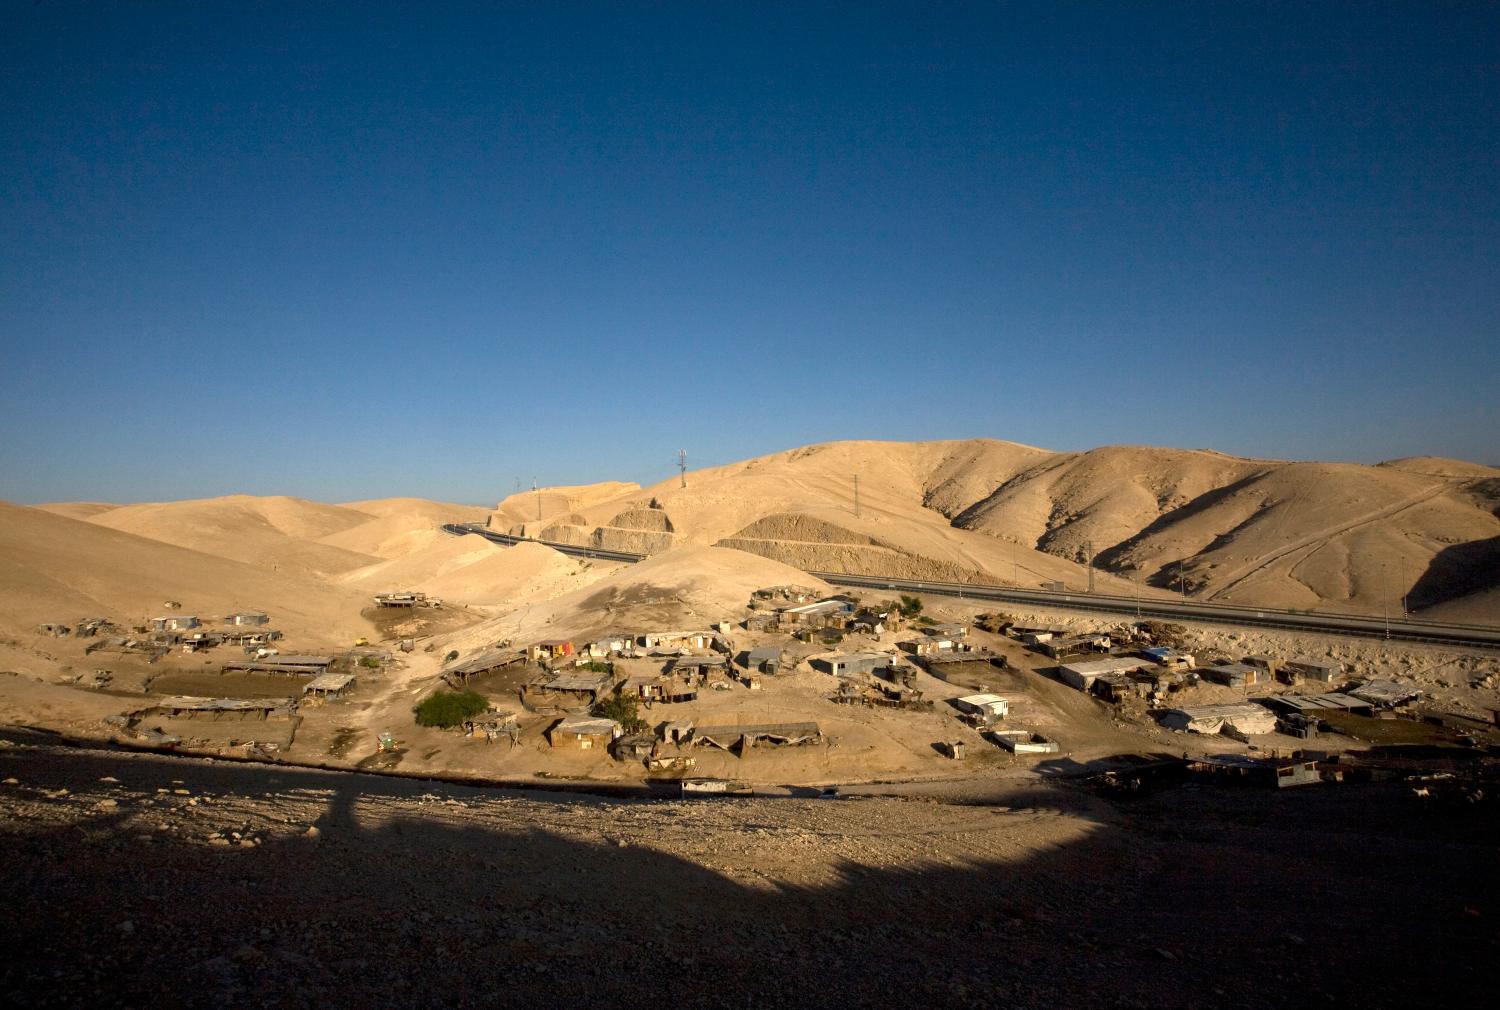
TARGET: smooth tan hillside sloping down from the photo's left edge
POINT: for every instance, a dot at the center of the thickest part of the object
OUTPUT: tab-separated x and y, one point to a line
61	570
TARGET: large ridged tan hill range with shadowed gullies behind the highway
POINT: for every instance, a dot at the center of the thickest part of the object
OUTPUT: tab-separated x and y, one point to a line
1259	532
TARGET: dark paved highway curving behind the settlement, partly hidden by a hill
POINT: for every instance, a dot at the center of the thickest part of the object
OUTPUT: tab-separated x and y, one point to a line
1460	636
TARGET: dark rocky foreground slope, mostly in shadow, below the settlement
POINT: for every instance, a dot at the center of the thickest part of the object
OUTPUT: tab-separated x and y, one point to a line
137	880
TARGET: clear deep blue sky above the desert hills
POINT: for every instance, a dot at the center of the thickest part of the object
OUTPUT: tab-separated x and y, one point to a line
374	250
